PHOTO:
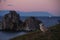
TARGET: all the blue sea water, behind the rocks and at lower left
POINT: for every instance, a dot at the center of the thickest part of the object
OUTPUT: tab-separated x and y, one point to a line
47	21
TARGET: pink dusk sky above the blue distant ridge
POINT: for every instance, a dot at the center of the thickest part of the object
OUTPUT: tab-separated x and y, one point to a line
51	6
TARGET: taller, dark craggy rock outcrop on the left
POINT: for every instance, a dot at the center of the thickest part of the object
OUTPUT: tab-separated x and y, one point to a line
11	21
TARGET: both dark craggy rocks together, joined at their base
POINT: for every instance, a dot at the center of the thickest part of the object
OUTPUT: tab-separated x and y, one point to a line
12	22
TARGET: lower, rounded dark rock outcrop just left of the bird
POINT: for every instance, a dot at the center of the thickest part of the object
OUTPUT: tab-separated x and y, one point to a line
31	24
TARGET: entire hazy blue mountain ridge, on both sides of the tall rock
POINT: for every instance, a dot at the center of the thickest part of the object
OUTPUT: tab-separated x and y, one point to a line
27	13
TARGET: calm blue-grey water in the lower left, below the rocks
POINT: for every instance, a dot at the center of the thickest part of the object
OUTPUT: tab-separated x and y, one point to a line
7	36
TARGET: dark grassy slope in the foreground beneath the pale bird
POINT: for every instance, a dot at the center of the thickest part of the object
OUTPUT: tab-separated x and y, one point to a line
54	34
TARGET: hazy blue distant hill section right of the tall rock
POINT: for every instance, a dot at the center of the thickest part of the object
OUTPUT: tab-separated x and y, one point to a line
35	14
